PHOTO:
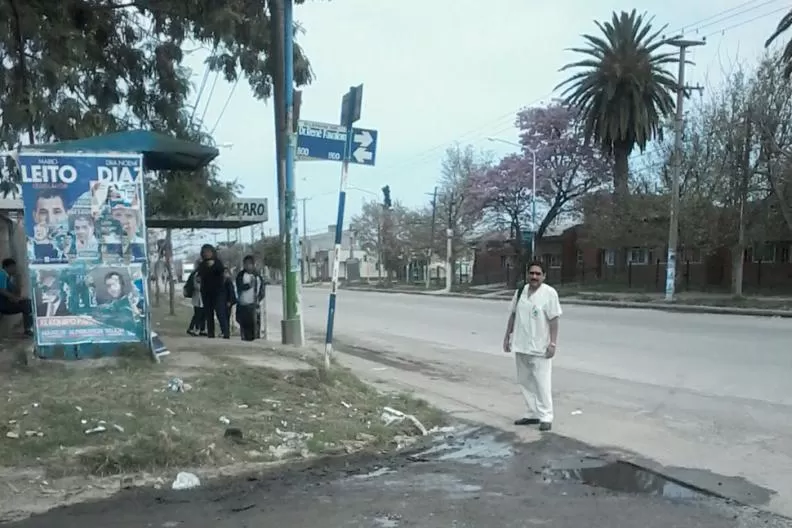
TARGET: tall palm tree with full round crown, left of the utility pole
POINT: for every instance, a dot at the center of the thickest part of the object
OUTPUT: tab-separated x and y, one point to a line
622	90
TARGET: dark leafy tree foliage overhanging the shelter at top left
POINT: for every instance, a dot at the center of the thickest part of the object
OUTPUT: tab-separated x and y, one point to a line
76	68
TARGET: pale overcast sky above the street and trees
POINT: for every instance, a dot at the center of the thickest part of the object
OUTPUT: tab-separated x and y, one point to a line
439	72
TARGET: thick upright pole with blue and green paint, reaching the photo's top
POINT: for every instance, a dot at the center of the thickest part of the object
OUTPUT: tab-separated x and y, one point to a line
291	326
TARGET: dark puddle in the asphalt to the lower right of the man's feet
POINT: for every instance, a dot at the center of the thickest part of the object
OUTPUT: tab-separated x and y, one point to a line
622	477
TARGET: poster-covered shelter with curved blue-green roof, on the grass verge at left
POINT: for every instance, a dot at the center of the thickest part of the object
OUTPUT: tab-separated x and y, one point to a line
85	223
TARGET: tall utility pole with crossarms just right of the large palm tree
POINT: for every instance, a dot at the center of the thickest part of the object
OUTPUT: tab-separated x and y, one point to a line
673	224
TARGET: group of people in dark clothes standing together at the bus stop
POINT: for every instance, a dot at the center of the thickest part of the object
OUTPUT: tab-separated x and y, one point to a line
214	294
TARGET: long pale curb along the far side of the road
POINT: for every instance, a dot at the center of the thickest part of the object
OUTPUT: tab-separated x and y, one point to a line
679	308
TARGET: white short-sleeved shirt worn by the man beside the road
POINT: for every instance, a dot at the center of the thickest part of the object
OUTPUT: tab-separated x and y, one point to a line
533	313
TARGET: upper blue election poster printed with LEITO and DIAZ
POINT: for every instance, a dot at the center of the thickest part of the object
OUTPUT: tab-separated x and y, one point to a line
83	207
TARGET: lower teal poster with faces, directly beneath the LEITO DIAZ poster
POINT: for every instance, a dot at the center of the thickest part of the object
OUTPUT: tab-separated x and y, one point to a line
89	303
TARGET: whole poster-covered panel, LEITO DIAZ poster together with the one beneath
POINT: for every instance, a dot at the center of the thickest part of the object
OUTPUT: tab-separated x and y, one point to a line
84	220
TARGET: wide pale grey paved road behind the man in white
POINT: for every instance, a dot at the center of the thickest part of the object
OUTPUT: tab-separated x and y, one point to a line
696	392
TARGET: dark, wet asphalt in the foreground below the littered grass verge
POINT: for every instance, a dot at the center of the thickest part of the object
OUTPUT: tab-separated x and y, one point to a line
475	478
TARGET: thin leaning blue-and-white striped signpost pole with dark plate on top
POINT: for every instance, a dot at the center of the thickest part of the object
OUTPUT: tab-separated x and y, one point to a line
350	112
